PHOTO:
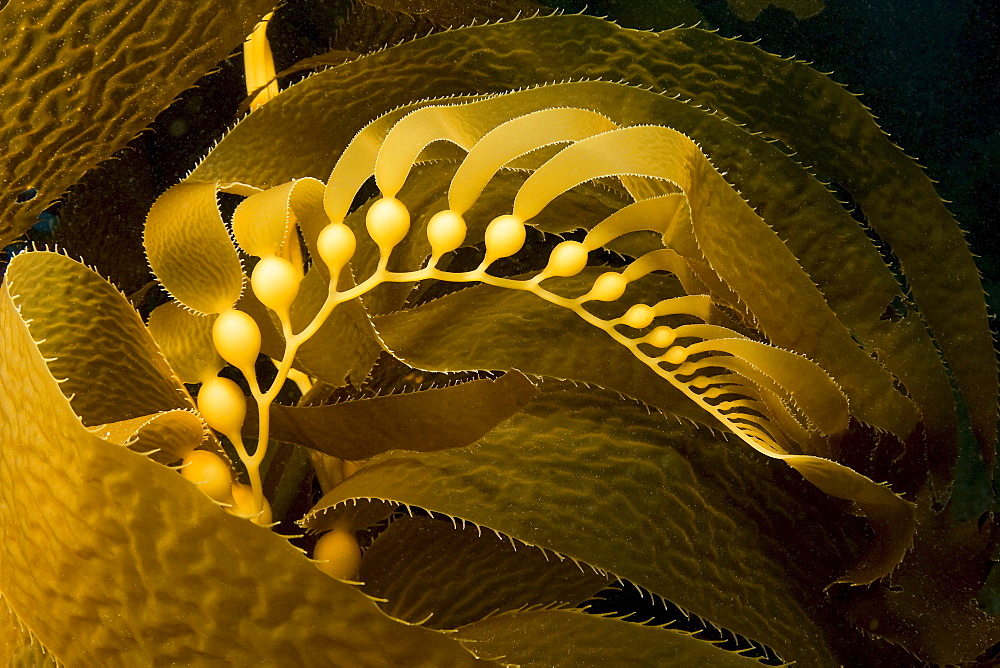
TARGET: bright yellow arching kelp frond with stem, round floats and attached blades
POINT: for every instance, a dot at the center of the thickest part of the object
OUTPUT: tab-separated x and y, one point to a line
787	404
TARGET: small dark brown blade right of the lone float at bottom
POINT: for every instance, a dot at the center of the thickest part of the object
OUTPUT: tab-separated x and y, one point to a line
466	573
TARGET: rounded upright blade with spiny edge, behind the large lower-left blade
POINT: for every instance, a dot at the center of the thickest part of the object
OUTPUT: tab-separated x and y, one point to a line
93	339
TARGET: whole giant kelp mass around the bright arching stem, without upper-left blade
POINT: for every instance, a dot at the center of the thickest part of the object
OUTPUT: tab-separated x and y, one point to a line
612	286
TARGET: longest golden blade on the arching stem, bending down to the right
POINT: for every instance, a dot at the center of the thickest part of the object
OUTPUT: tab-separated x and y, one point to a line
738	245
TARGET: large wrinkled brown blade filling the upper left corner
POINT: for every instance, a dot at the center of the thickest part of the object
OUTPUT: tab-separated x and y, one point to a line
71	100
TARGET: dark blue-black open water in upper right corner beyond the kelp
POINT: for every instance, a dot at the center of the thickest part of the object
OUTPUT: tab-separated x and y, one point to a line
928	69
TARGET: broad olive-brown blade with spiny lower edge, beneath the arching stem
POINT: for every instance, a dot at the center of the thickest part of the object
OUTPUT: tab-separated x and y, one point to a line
604	481
